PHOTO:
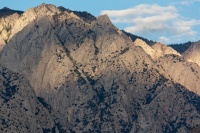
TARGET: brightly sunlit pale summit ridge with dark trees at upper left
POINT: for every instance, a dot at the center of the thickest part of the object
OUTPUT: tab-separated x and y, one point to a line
13	23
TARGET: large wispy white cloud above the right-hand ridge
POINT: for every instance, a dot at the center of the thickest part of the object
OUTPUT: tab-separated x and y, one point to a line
154	19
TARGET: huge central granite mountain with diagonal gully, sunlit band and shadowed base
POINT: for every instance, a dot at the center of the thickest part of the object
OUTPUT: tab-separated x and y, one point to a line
95	78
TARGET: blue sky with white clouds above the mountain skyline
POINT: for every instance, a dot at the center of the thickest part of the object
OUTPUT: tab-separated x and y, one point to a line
169	21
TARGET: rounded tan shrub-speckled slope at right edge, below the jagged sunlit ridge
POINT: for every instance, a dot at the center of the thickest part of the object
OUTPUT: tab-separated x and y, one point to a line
181	71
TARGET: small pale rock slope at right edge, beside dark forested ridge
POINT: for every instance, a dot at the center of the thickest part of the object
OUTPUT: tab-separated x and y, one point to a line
192	54
